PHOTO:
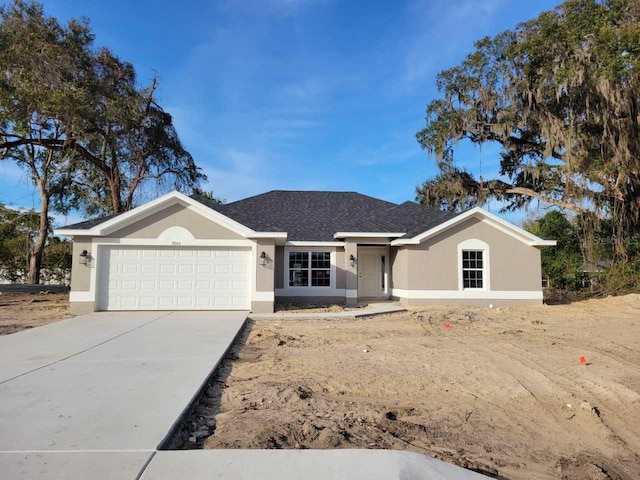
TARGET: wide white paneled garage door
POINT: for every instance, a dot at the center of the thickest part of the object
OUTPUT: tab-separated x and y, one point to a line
152	278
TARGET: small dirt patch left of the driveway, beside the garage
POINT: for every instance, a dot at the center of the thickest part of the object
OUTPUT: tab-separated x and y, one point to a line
19	311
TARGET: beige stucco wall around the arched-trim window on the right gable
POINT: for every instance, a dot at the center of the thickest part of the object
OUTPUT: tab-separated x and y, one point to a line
433	265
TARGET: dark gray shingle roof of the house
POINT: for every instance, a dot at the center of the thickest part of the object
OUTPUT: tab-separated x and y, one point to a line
317	215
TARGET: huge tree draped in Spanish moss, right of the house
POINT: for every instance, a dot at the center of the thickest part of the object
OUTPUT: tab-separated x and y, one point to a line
560	94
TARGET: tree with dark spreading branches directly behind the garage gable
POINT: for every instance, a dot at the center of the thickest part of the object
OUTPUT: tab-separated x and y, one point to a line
131	144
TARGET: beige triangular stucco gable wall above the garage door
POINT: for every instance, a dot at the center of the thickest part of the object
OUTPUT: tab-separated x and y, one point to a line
176	216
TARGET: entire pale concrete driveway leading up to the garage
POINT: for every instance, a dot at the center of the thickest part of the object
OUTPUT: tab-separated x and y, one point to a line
93	396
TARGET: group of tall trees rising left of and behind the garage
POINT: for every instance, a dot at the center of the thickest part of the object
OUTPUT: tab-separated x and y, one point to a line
74	118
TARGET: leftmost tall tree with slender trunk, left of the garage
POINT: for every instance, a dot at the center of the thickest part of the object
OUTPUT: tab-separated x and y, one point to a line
41	89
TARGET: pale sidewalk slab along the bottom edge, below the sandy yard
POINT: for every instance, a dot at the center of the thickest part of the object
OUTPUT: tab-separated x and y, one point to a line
302	465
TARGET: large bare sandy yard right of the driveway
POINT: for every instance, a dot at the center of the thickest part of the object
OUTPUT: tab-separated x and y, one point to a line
501	391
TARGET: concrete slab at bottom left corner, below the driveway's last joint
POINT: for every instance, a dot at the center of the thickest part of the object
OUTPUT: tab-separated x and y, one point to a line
78	465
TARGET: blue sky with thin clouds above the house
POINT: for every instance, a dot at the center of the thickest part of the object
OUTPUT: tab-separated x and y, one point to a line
296	94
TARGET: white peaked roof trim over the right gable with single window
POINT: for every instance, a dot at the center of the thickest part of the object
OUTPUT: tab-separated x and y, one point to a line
495	221
